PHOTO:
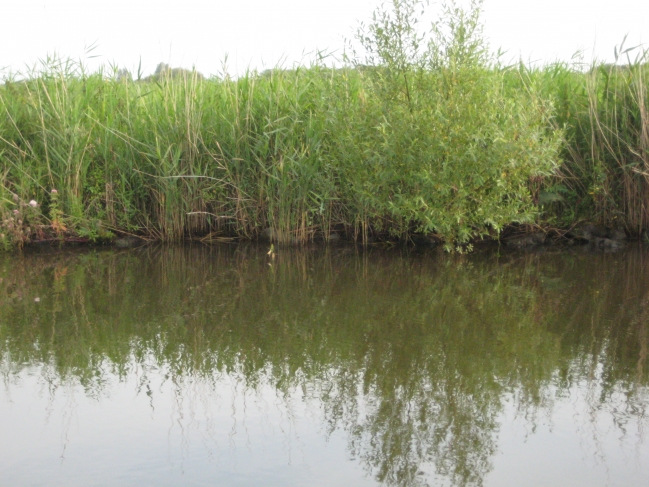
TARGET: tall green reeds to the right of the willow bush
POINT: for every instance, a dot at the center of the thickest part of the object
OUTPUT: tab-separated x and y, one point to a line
605	113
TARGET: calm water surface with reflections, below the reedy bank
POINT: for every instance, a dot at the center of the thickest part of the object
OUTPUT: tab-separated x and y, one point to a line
227	366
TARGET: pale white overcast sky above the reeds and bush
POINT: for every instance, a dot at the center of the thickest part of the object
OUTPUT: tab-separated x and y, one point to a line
261	33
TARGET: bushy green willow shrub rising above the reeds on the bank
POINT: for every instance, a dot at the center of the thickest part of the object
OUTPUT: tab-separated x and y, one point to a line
429	139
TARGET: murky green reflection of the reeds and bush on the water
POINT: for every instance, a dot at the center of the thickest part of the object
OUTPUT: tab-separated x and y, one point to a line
416	358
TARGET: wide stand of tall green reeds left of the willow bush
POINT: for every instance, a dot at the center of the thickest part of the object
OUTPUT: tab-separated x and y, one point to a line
173	157
